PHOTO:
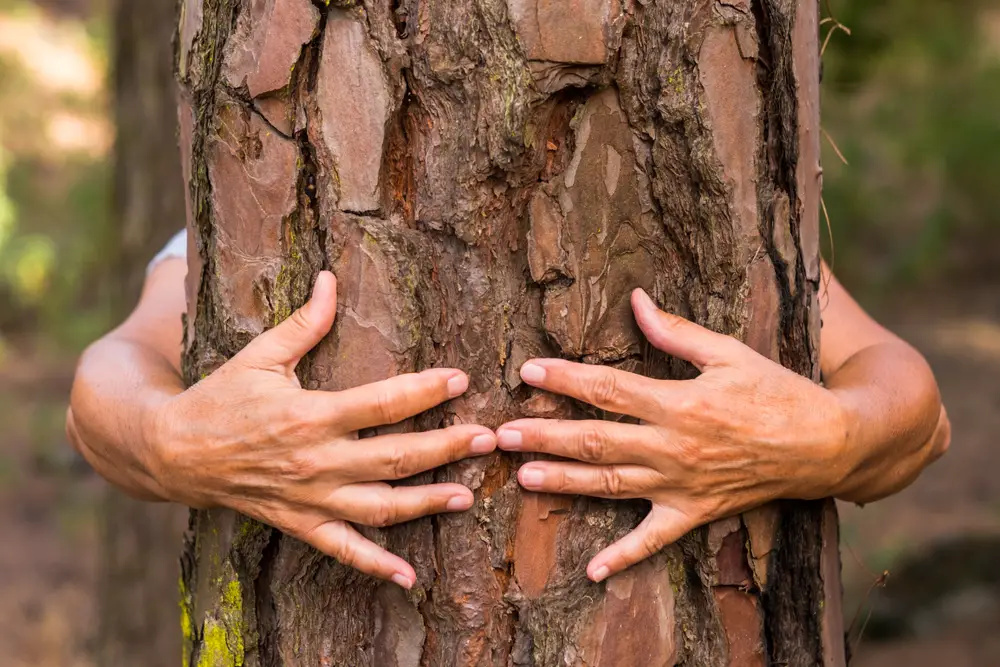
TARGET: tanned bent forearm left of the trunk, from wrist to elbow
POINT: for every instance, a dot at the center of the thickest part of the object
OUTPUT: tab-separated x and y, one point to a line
119	386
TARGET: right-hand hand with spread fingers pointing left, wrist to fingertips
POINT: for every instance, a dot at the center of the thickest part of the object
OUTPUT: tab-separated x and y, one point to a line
745	432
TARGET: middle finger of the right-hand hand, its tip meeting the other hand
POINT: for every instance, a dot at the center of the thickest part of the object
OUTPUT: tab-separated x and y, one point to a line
598	442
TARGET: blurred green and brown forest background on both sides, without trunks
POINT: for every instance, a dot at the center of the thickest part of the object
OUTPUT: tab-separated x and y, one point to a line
911	103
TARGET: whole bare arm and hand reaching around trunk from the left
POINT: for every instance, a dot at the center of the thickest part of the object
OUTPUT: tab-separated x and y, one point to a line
248	437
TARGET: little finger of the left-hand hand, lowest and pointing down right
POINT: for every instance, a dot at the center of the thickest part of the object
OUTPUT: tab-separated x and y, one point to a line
348	546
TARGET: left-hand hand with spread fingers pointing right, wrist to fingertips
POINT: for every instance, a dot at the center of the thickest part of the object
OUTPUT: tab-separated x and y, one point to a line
248	437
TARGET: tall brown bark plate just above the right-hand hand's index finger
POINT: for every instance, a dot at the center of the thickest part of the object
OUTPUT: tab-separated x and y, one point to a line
604	238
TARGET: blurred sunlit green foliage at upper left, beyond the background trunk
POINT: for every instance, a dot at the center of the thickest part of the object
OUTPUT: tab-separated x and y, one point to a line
55	188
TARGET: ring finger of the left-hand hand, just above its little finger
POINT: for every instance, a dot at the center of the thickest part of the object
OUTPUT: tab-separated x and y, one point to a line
381	505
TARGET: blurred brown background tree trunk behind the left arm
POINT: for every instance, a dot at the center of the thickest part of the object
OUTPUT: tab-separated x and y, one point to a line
137	623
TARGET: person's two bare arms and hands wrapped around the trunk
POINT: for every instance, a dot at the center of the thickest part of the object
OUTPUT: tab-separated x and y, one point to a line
745	432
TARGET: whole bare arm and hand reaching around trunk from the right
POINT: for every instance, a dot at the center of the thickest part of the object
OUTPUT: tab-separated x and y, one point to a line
743	433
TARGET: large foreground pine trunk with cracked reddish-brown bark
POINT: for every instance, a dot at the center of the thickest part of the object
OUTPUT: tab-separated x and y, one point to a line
489	180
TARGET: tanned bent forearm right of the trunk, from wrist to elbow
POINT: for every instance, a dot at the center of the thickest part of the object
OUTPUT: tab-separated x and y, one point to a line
895	424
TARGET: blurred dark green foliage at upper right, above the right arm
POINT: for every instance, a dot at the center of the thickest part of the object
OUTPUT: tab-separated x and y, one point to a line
912	99
